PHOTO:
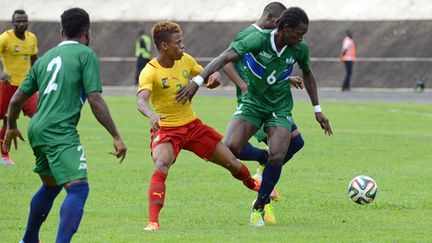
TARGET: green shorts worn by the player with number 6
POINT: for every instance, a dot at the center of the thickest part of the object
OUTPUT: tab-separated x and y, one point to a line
262	120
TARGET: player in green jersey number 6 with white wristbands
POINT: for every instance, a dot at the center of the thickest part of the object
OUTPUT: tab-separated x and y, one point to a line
270	56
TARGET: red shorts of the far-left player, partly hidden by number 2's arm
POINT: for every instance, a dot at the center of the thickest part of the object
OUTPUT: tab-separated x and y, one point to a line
6	93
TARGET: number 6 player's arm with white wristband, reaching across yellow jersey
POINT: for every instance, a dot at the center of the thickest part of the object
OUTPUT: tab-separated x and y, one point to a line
187	92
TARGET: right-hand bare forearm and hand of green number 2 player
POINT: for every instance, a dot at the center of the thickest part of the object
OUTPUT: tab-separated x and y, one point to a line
101	112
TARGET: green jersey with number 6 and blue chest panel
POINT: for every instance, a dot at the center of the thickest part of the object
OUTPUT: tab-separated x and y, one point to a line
268	70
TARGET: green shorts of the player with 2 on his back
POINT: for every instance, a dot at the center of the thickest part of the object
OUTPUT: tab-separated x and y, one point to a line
63	162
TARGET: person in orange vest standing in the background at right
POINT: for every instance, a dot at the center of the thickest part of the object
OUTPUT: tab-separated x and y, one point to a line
348	57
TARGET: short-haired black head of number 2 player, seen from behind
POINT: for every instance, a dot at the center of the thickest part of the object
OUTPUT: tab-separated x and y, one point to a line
74	22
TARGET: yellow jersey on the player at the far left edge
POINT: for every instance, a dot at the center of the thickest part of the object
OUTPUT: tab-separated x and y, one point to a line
15	54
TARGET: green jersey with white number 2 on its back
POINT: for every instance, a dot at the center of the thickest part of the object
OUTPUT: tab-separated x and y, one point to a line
63	77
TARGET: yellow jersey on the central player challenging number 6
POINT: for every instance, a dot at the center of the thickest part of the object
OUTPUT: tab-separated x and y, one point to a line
164	83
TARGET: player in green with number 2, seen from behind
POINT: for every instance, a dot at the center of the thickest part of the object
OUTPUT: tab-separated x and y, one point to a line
65	76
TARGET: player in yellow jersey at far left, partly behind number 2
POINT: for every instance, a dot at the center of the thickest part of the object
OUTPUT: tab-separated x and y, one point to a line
18	51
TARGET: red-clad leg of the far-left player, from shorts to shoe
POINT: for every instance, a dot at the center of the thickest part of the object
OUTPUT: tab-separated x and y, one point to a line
6	93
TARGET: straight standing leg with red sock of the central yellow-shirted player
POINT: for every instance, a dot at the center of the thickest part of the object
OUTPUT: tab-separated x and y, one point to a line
163	155
